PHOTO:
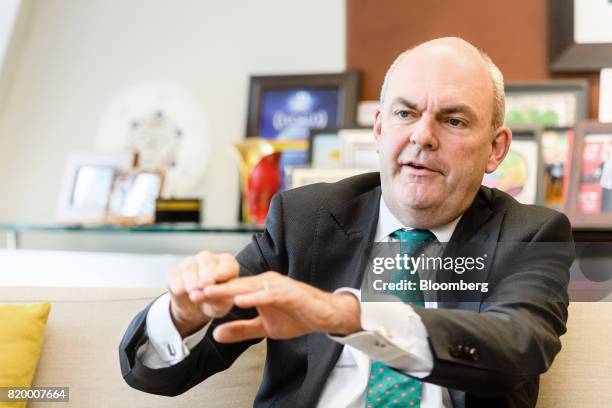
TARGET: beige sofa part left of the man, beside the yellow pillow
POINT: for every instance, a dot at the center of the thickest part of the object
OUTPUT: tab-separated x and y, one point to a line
81	352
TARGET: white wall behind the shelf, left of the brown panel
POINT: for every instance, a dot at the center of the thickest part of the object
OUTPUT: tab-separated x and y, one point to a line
80	54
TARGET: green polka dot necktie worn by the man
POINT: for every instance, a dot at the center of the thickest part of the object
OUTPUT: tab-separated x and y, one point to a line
387	387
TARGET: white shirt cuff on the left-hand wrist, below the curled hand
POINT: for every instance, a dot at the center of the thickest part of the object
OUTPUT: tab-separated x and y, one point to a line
165	347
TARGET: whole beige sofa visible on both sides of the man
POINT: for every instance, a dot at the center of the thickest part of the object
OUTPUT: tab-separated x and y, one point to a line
86	325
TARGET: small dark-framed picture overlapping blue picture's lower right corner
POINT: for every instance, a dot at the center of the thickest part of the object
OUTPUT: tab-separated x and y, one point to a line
324	149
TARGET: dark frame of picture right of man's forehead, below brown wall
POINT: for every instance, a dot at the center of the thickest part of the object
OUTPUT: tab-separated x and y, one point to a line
578	87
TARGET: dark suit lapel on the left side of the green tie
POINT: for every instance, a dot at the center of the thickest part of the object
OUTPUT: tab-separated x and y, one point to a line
343	237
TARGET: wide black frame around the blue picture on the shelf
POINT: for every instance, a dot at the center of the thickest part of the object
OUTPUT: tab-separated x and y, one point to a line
346	83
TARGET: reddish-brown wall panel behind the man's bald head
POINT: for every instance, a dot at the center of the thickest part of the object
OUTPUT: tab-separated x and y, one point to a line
513	32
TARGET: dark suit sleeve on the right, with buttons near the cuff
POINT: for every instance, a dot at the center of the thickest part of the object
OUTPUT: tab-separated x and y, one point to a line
515	335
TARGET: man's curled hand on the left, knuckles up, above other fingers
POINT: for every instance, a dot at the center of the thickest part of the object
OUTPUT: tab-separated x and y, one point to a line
189	307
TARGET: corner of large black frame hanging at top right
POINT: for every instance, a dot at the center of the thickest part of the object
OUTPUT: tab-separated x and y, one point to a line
564	54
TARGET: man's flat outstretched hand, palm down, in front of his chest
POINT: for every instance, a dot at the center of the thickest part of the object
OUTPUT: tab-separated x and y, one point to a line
287	308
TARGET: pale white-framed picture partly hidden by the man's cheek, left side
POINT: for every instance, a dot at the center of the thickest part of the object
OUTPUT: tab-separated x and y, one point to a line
358	148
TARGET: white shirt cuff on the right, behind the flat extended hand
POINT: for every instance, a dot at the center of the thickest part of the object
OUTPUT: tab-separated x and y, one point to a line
392	334
